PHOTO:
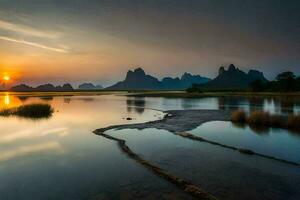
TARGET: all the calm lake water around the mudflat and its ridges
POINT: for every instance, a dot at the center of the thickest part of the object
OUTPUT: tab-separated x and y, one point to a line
60	157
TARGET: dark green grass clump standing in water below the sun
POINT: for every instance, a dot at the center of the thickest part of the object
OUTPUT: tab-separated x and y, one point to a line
34	111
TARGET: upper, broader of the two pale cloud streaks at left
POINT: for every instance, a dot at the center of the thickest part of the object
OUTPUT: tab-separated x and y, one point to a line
28	30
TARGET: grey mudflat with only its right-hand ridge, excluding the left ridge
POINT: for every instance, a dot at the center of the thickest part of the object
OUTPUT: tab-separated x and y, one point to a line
179	122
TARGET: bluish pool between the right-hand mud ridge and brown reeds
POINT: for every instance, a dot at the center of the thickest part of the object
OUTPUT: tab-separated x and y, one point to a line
270	141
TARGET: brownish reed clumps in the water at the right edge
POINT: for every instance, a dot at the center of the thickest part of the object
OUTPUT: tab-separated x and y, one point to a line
260	120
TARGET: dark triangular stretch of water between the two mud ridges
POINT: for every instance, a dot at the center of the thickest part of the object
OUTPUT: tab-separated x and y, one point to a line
225	173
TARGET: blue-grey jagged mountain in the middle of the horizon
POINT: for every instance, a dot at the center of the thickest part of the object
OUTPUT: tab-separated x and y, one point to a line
139	80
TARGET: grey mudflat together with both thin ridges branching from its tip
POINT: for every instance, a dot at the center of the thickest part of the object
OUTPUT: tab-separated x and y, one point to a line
179	122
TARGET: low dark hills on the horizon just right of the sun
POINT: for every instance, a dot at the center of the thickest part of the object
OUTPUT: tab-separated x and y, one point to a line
44	87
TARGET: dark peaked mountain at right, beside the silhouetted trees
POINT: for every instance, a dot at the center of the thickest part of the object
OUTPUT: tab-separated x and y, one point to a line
234	78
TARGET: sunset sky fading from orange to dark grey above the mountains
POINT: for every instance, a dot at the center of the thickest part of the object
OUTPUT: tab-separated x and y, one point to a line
98	41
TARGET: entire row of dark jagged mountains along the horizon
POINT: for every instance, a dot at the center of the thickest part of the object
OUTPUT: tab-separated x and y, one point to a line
137	79
